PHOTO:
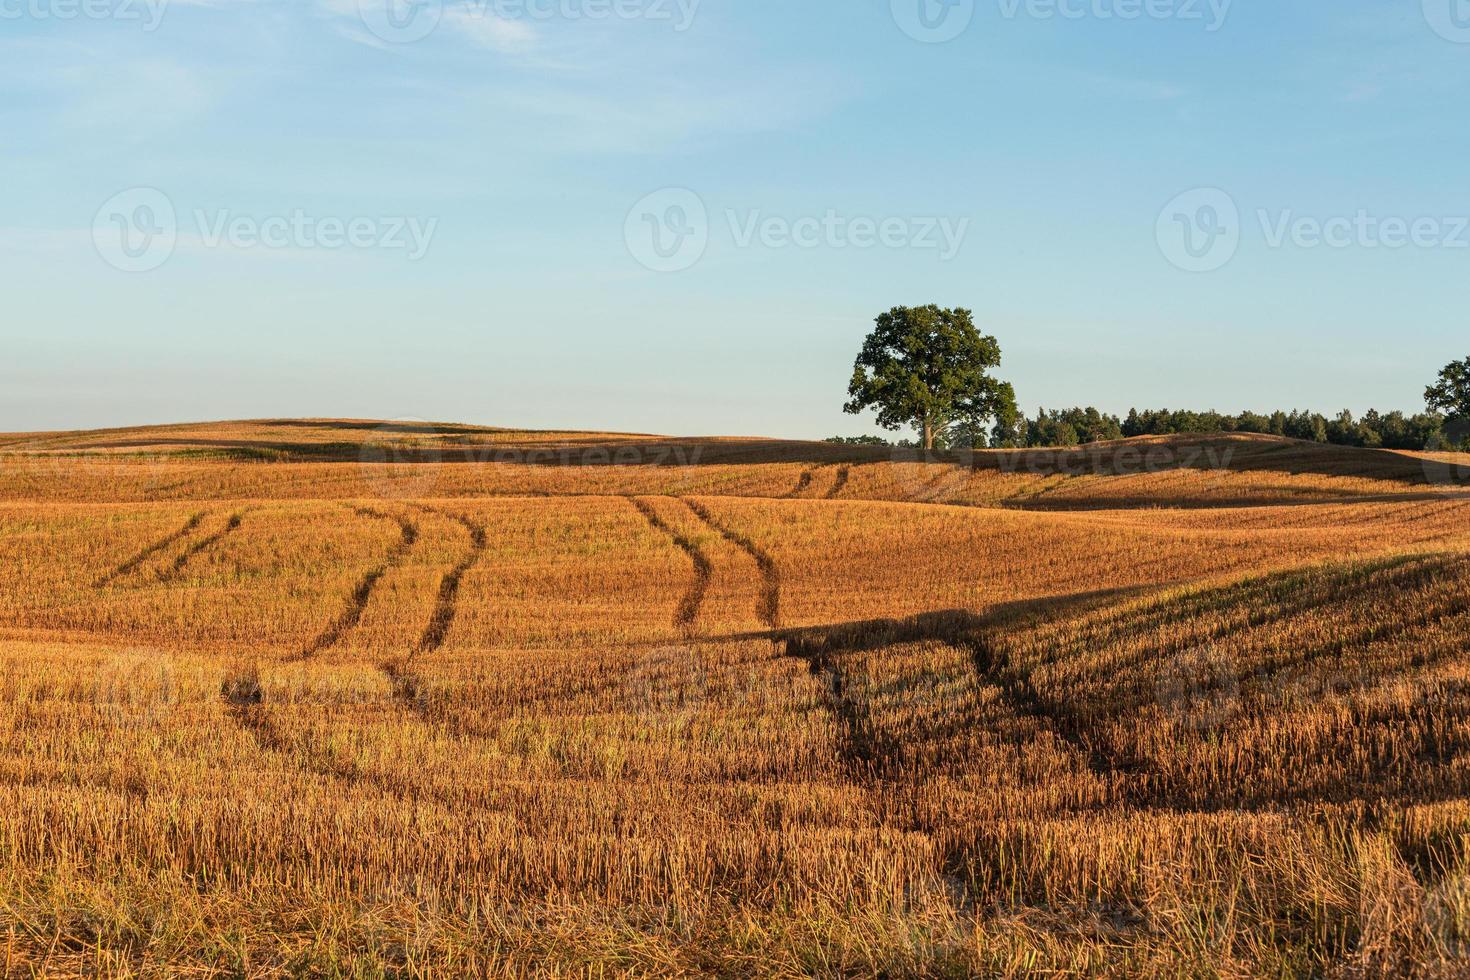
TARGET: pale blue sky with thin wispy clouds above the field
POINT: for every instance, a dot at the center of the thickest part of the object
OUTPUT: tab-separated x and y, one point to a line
805	167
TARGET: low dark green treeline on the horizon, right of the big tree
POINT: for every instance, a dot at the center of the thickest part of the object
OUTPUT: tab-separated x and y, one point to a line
1078	427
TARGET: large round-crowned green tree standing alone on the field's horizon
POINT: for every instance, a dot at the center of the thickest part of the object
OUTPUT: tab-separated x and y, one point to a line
928	368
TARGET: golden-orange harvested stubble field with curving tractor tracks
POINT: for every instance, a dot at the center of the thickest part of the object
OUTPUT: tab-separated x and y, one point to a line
355	699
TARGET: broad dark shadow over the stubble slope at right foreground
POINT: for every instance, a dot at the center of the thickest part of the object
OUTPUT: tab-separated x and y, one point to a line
1309	687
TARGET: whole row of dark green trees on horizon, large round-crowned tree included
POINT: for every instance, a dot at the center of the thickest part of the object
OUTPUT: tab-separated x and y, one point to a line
928	368
